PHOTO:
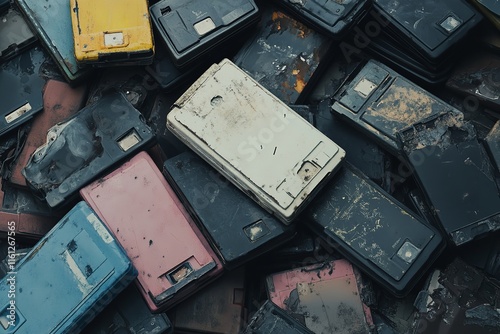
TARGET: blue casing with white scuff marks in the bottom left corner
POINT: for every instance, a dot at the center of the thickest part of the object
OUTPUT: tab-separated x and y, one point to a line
67	278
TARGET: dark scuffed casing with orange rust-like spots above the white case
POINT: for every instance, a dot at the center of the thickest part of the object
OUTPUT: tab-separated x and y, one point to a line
284	55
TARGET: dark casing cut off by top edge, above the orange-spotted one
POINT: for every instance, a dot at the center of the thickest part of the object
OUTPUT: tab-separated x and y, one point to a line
332	17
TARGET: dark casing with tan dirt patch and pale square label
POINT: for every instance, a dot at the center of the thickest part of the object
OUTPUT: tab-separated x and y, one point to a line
379	102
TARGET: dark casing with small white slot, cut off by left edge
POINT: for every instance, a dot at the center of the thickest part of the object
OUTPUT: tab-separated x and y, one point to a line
21	75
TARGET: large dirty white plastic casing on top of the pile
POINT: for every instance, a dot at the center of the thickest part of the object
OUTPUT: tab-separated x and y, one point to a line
250	137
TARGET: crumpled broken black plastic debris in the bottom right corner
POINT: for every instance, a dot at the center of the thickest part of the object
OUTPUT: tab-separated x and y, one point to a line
458	300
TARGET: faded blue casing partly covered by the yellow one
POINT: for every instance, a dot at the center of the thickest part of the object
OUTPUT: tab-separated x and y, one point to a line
51	20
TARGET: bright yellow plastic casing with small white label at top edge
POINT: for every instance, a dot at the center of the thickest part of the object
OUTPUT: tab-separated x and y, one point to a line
112	32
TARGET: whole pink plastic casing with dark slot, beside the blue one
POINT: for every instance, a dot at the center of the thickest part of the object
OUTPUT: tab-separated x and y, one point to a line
170	253
